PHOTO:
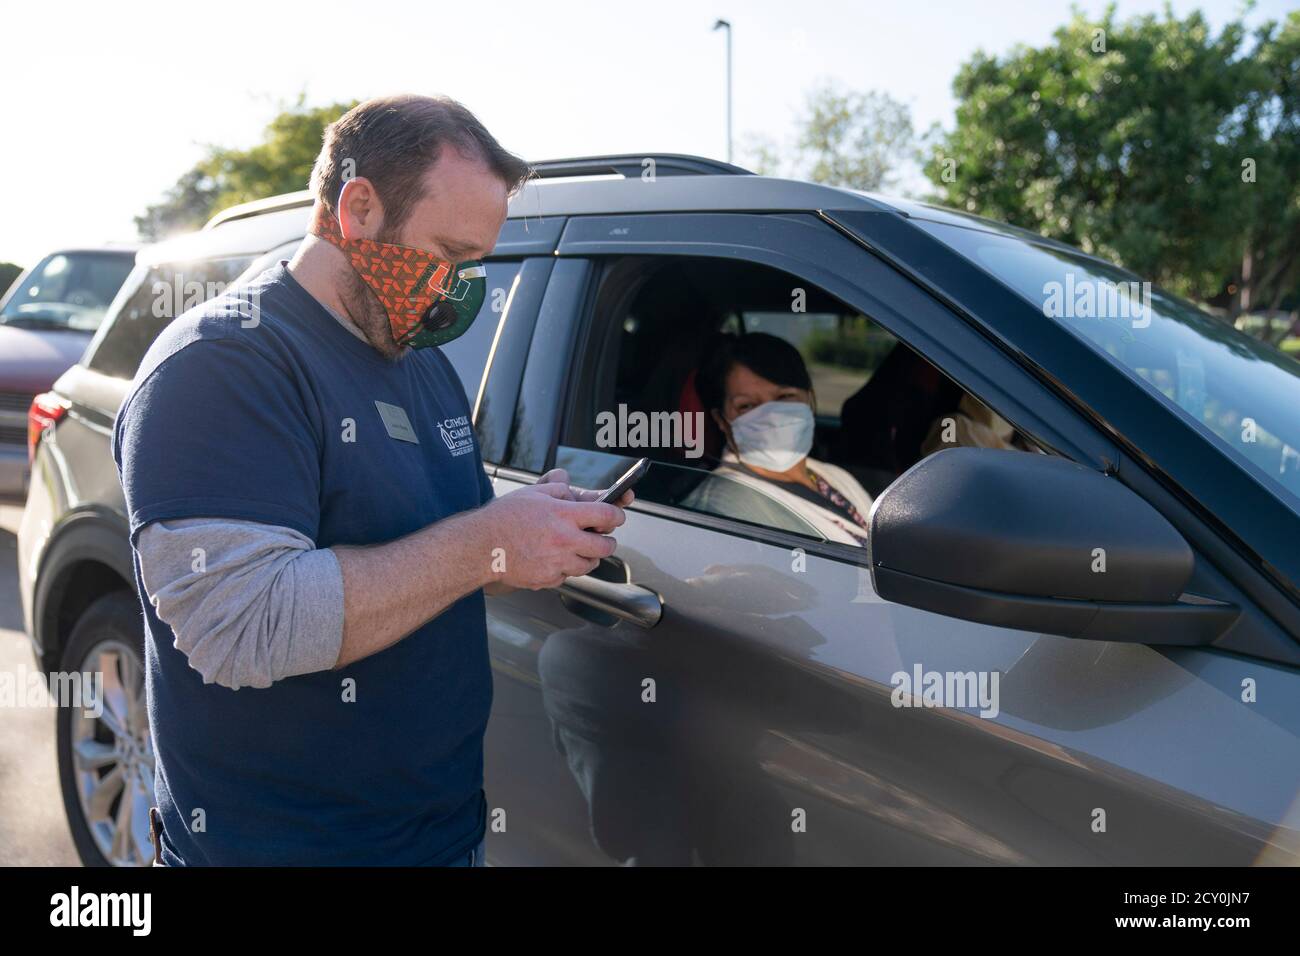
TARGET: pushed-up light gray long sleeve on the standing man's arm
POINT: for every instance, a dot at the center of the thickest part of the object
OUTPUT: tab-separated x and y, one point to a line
249	603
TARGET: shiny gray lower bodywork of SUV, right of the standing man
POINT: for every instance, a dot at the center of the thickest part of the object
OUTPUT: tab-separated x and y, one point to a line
774	697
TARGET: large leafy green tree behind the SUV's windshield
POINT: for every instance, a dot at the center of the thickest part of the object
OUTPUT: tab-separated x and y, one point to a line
1152	142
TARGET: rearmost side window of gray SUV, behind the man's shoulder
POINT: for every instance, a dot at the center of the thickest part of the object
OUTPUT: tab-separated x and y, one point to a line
164	293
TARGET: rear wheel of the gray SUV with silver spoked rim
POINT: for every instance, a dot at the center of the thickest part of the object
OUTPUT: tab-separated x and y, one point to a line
106	763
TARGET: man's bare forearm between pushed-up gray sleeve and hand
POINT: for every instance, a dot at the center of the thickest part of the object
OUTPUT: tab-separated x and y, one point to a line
392	590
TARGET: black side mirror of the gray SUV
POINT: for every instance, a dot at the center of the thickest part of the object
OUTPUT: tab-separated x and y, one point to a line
1037	543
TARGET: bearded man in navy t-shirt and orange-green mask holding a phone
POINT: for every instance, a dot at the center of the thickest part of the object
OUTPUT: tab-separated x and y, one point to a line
314	530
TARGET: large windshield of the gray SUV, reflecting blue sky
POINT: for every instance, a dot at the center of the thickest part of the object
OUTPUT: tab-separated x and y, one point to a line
1237	388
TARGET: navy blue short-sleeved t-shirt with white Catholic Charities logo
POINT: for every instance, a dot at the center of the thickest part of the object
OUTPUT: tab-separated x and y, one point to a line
278	423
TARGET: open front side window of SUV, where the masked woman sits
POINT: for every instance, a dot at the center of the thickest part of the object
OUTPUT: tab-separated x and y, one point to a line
647	374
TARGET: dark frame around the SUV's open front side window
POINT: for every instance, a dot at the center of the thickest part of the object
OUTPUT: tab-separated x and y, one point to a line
811	250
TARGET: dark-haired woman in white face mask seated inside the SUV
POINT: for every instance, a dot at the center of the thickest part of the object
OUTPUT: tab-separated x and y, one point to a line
759	392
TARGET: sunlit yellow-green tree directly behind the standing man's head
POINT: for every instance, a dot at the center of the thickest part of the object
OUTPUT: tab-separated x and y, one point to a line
280	163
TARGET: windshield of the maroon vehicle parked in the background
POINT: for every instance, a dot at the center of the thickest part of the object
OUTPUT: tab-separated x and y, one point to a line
68	291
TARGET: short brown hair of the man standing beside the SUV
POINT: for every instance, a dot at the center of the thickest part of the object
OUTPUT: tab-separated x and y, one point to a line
393	142
